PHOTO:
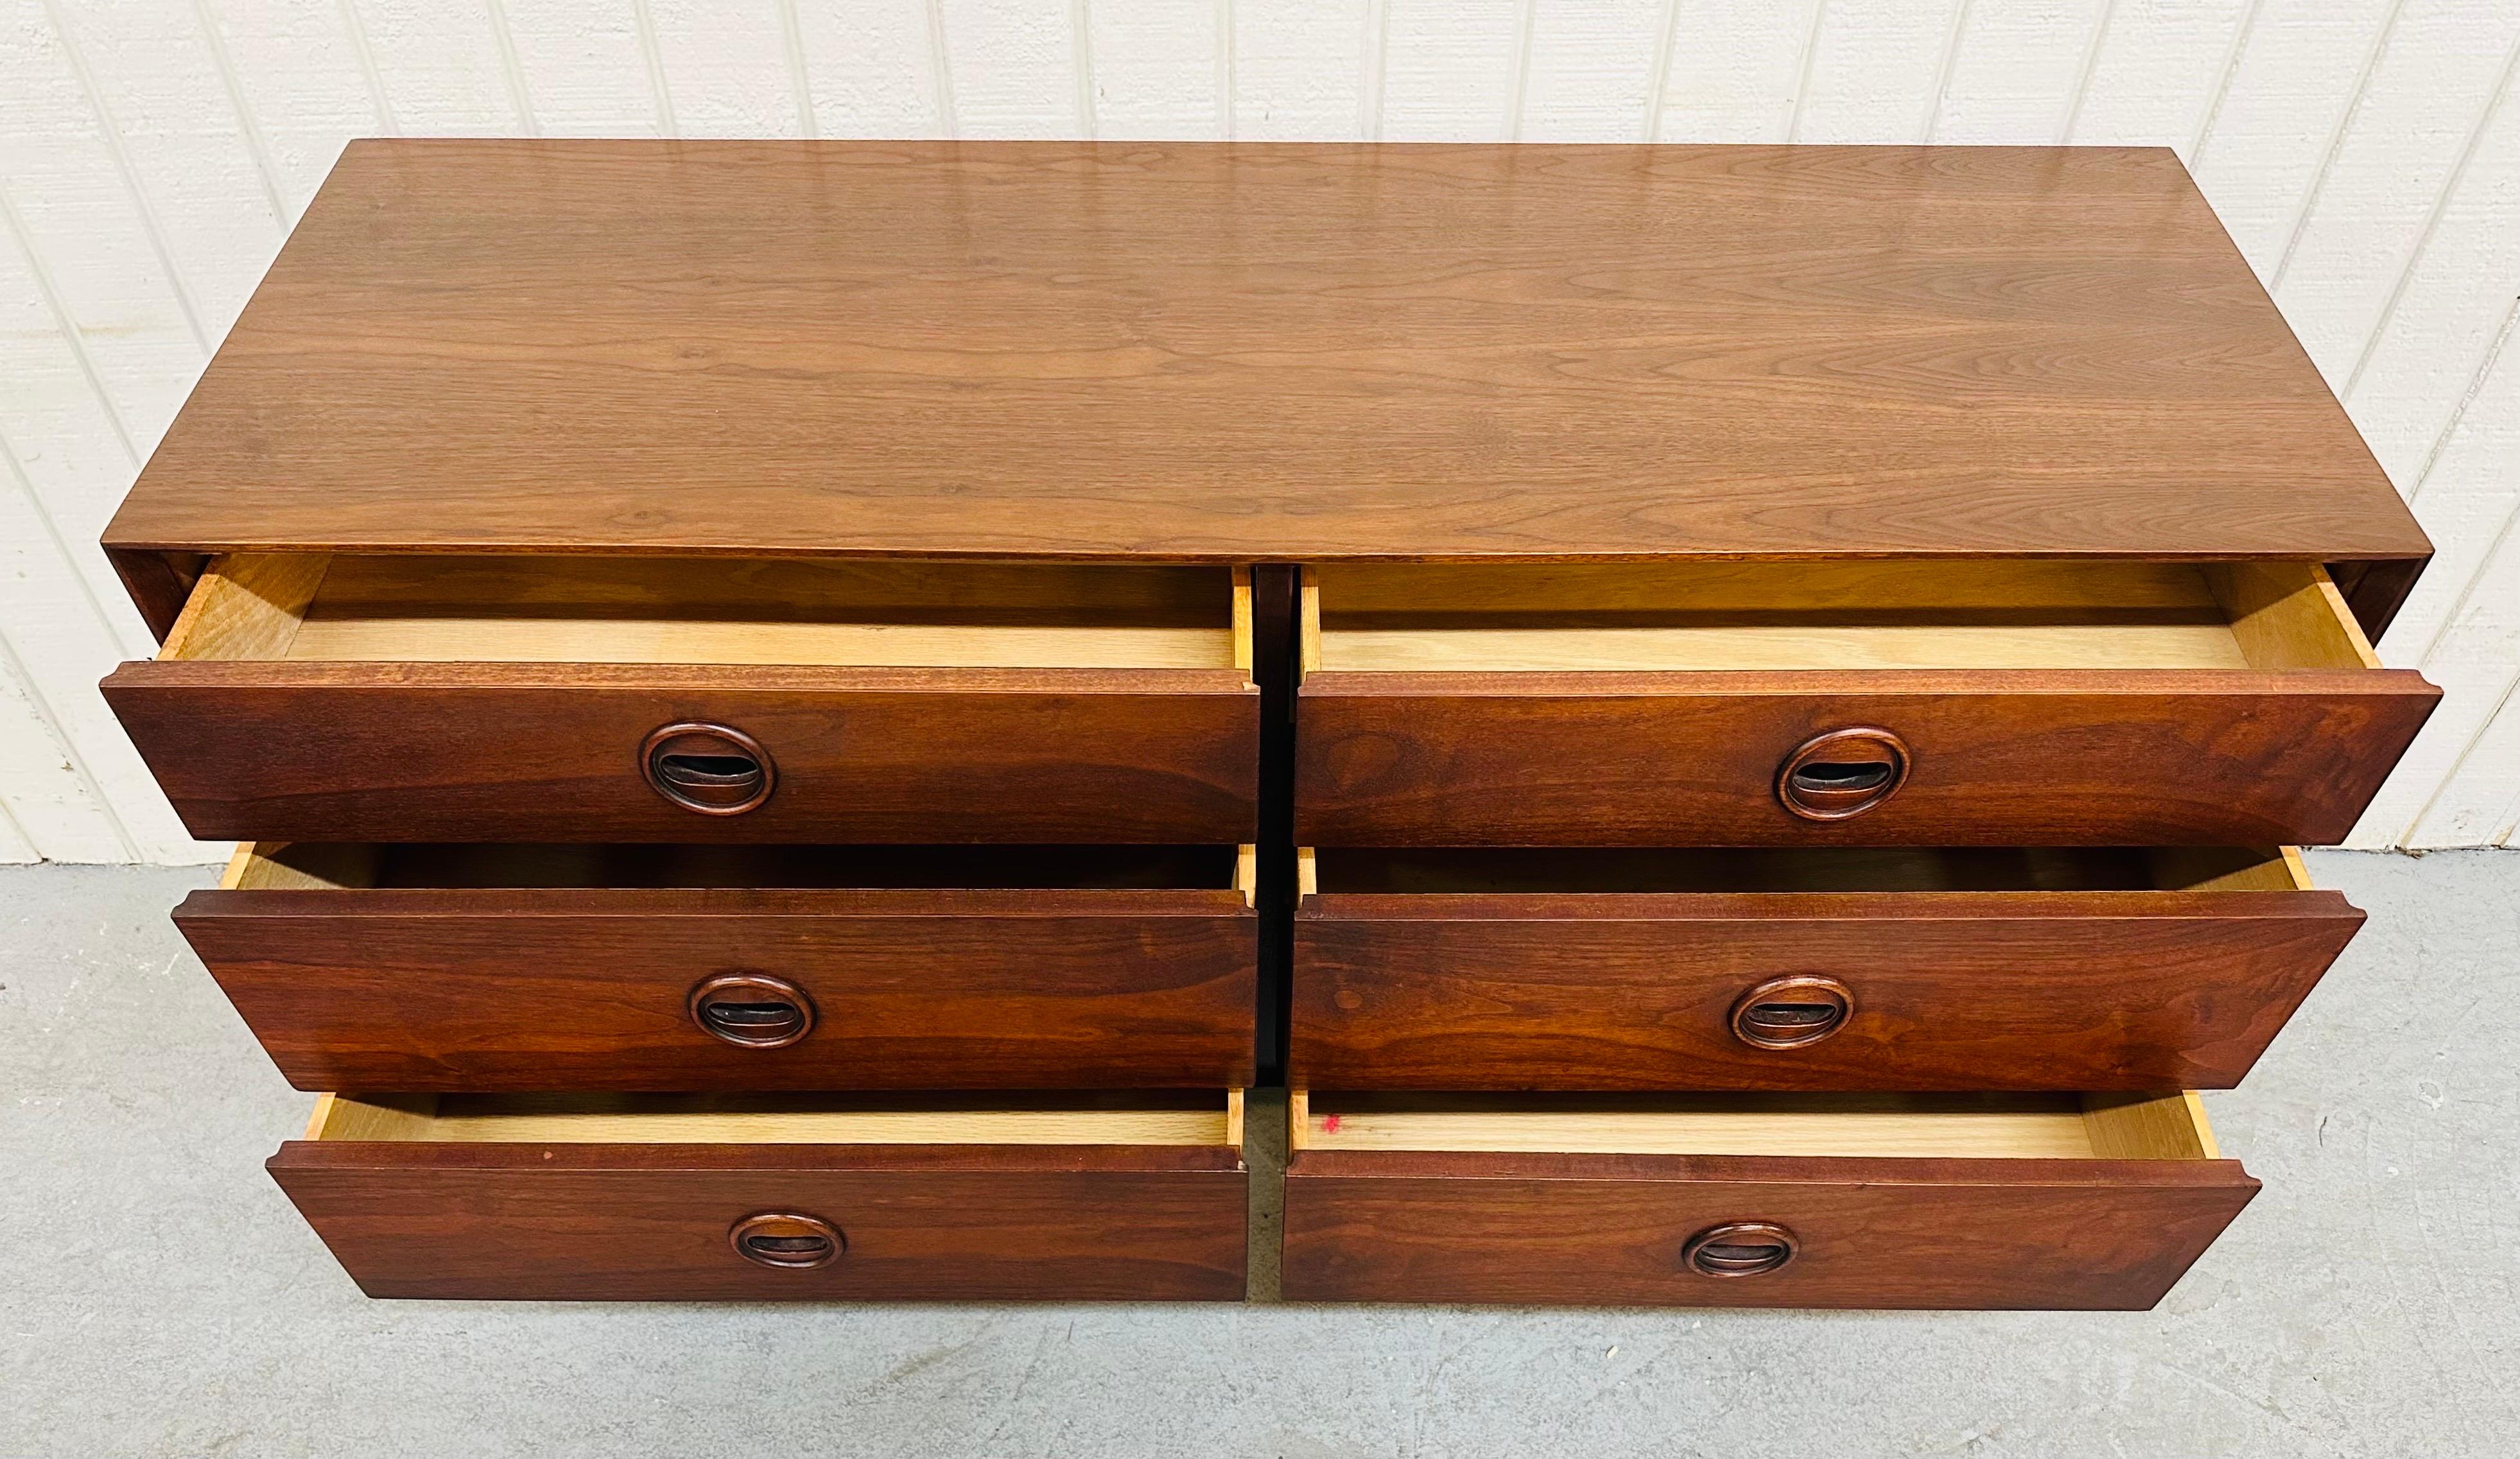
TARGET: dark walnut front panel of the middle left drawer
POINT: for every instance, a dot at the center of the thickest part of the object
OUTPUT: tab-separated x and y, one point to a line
588	989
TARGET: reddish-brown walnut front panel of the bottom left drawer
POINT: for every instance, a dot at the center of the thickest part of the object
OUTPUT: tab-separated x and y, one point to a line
659	1223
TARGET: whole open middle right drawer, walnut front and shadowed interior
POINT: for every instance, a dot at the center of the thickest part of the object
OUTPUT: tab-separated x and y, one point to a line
1801	966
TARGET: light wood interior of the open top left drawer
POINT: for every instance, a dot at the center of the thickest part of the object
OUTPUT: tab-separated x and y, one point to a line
881	614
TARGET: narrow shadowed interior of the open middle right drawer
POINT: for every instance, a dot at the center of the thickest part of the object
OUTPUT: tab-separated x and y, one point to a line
1803	871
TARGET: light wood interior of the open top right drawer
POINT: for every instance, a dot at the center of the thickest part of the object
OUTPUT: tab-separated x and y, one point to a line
1785	616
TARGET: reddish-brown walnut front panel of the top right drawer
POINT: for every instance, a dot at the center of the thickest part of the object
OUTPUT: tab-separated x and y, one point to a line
1695	760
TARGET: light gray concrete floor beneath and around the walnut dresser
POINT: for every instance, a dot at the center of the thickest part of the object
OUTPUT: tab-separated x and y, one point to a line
157	1294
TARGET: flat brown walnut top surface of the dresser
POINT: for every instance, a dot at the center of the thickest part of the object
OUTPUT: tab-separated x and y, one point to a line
1264	354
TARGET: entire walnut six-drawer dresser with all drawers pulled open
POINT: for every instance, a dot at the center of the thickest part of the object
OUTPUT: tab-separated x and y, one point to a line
808	717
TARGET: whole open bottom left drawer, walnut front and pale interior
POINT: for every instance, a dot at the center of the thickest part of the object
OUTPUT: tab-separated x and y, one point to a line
757	1198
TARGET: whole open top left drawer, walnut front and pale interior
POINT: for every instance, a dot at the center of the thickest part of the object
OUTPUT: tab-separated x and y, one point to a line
649	699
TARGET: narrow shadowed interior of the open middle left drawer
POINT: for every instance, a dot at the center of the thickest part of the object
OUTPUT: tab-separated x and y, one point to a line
490	866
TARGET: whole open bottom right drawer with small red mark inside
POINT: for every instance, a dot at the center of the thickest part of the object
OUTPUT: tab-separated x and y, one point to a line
1853	1201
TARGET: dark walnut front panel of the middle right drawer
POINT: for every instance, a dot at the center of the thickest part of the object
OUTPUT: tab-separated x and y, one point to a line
1952	989
